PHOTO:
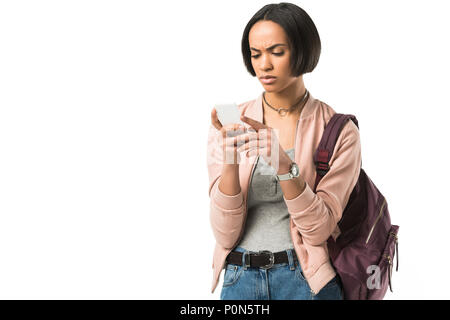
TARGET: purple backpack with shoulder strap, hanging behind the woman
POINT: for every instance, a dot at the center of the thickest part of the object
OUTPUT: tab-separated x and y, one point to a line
363	253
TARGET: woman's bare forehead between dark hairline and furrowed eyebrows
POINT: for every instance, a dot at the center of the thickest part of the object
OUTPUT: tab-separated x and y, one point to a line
264	34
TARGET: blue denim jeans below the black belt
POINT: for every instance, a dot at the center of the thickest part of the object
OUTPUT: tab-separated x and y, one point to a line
284	281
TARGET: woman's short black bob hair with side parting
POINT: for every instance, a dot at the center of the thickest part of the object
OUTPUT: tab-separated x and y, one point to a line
301	32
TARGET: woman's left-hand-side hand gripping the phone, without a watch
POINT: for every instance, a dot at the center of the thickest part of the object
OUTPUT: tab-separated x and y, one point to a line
228	139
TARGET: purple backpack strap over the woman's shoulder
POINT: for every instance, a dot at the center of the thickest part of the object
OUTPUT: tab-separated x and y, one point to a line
326	146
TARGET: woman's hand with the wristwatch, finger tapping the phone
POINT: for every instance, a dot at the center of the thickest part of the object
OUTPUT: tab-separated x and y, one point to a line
263	140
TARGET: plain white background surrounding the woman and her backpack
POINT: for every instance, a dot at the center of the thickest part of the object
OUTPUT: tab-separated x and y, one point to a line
104	114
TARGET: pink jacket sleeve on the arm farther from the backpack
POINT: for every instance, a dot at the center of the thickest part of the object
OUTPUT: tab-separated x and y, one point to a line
226	211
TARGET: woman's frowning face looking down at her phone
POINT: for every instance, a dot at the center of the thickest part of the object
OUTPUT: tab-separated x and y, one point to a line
273	61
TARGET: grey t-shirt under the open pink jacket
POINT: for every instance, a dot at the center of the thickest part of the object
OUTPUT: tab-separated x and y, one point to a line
267	224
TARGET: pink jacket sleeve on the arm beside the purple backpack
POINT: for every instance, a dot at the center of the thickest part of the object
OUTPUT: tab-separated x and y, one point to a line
316	214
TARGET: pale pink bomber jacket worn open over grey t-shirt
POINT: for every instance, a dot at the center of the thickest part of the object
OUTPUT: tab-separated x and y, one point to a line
313	216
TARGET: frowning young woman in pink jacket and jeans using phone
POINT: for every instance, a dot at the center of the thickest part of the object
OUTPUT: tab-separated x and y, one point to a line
270	227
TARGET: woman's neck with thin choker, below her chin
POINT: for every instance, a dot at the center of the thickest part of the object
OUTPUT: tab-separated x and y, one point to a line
286	97
